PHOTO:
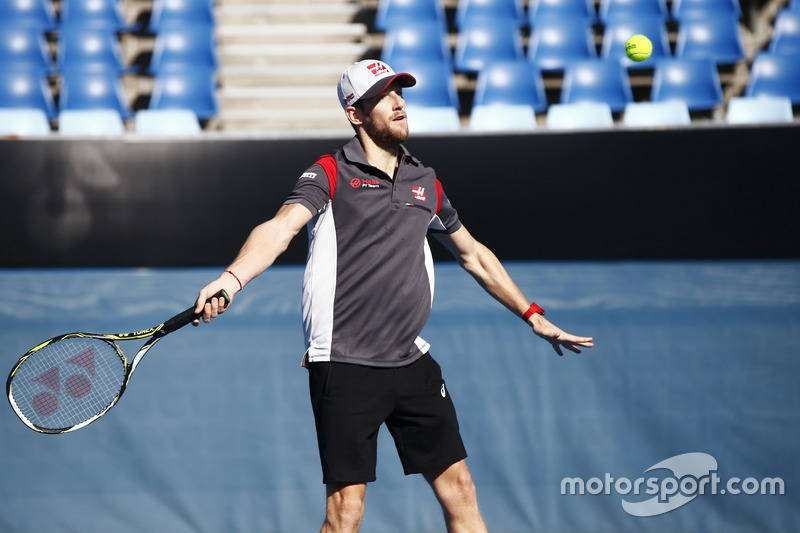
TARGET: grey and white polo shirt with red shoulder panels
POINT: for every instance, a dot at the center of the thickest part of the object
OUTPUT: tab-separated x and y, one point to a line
368	284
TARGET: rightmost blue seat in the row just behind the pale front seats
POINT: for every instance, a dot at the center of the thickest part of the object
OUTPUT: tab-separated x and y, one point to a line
775	75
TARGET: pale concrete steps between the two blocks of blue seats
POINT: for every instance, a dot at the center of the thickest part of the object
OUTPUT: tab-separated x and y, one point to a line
280	63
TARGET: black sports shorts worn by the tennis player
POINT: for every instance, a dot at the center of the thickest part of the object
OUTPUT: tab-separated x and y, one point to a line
351	402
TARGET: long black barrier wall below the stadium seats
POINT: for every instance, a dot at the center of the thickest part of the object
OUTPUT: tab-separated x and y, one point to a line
700	192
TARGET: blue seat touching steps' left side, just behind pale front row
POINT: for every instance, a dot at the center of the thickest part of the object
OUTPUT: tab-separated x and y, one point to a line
194	89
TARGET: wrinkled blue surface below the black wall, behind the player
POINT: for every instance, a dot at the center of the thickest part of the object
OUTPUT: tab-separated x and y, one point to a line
683	418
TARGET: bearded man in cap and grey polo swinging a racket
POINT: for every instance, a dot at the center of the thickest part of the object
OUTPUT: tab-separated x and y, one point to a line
367	293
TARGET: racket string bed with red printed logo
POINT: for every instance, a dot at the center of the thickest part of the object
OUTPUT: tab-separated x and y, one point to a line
68	382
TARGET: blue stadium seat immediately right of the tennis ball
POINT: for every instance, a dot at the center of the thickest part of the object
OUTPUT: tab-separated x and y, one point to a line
717	38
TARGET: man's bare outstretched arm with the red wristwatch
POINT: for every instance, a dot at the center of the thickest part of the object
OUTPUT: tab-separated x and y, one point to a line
487	270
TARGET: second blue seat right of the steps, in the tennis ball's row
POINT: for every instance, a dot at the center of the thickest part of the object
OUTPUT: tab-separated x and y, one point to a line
483	41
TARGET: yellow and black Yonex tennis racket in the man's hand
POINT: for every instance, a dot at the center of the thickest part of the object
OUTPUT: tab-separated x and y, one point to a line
69	381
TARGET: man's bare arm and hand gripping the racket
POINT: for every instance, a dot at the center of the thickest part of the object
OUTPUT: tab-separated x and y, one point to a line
263	246
